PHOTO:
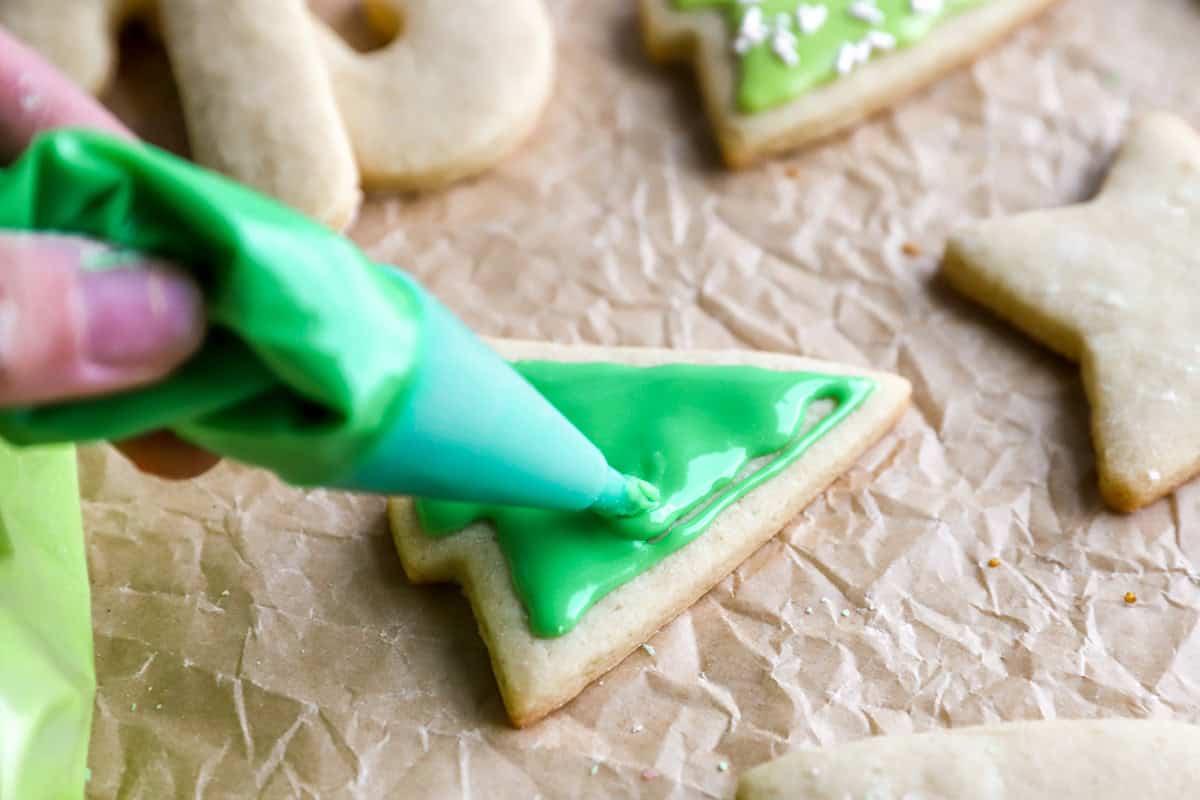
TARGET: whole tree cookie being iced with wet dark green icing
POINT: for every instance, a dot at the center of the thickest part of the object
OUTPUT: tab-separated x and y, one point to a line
724	436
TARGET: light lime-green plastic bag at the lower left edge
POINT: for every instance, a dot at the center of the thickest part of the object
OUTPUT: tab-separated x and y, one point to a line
47	677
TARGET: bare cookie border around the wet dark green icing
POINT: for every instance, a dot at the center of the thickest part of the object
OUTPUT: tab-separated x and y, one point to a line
538	676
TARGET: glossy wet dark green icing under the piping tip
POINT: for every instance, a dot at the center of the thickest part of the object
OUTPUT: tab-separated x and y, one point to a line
691	431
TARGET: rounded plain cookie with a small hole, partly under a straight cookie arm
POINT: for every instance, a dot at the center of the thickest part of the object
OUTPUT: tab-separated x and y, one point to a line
460	88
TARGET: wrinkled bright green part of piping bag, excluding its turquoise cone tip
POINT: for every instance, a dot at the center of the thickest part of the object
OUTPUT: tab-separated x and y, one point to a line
313	346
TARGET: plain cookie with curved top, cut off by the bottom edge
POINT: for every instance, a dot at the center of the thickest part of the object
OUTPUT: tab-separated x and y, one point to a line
1099	760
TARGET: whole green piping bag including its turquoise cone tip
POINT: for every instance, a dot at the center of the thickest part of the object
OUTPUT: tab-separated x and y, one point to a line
321	365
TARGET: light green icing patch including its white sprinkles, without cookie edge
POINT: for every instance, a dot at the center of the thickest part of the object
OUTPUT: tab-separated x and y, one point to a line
788	47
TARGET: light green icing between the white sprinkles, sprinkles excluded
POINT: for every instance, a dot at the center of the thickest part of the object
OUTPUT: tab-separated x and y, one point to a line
769	81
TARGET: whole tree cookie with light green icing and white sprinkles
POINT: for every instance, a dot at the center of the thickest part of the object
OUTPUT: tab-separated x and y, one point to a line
777	75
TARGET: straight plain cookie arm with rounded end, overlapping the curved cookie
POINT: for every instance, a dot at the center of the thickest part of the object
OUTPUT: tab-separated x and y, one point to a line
260	105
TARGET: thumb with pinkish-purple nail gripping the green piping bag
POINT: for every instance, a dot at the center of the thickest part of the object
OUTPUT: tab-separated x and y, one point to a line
67	333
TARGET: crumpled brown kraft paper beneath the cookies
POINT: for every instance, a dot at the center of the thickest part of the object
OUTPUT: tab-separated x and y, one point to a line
259	640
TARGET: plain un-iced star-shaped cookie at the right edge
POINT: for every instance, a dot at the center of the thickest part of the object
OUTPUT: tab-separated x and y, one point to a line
1114	285
